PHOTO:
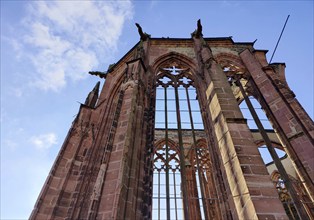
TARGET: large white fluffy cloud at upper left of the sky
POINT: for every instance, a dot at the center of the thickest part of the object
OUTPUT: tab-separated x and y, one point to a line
66	39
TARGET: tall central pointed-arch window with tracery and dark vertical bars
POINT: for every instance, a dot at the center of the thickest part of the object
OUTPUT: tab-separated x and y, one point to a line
181	187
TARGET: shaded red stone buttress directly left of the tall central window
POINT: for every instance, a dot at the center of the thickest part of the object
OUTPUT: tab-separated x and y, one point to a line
122	181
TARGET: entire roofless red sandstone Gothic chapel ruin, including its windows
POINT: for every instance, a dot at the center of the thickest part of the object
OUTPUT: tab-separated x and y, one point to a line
168	137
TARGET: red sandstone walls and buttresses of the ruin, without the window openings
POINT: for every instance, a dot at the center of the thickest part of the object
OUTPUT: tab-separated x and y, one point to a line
104	168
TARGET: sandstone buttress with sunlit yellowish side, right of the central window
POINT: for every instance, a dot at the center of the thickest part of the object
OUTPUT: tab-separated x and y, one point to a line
252	191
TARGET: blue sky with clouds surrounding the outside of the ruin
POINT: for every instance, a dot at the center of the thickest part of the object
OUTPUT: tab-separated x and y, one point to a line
47	48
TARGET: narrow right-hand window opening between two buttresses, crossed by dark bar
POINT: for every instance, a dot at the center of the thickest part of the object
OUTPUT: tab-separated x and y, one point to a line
259	125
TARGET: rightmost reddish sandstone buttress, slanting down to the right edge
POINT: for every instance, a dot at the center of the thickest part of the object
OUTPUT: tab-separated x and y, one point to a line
297	145
